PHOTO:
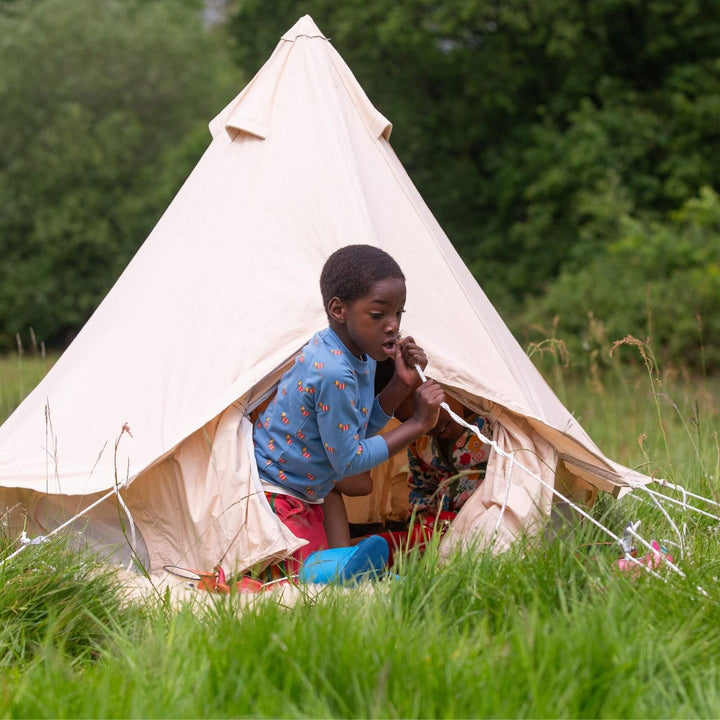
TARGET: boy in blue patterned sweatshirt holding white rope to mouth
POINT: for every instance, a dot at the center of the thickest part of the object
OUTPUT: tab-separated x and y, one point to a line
319	433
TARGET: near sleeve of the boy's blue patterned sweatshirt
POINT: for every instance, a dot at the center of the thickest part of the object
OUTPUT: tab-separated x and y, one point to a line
343	426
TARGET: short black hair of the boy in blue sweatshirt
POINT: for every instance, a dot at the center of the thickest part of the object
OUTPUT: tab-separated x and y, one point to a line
350	272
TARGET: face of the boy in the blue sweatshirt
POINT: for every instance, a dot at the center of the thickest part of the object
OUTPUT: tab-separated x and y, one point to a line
370	324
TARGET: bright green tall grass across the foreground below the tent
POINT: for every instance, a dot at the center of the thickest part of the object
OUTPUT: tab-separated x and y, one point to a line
543	631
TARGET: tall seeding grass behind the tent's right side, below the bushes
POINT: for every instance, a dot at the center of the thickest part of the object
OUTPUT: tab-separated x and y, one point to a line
661	421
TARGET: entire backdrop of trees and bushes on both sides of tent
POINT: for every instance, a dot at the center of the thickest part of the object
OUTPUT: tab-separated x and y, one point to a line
569	149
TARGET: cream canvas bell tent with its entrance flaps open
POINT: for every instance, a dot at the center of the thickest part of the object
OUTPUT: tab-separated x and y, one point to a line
144	419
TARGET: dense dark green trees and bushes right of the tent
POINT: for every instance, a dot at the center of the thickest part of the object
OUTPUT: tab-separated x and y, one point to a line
544	136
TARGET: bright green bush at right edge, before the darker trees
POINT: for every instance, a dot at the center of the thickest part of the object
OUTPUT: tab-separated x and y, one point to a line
659	281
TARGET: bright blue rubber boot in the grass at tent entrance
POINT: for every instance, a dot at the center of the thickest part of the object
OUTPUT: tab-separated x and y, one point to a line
346	565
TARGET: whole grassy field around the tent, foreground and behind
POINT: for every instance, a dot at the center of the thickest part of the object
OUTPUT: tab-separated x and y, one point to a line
549	629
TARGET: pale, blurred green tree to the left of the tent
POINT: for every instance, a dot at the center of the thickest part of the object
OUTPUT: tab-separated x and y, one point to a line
105	110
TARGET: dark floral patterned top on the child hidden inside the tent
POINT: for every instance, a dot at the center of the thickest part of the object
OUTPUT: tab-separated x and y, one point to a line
444	484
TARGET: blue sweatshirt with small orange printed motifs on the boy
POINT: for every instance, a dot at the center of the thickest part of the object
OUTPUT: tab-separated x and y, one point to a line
319	427
